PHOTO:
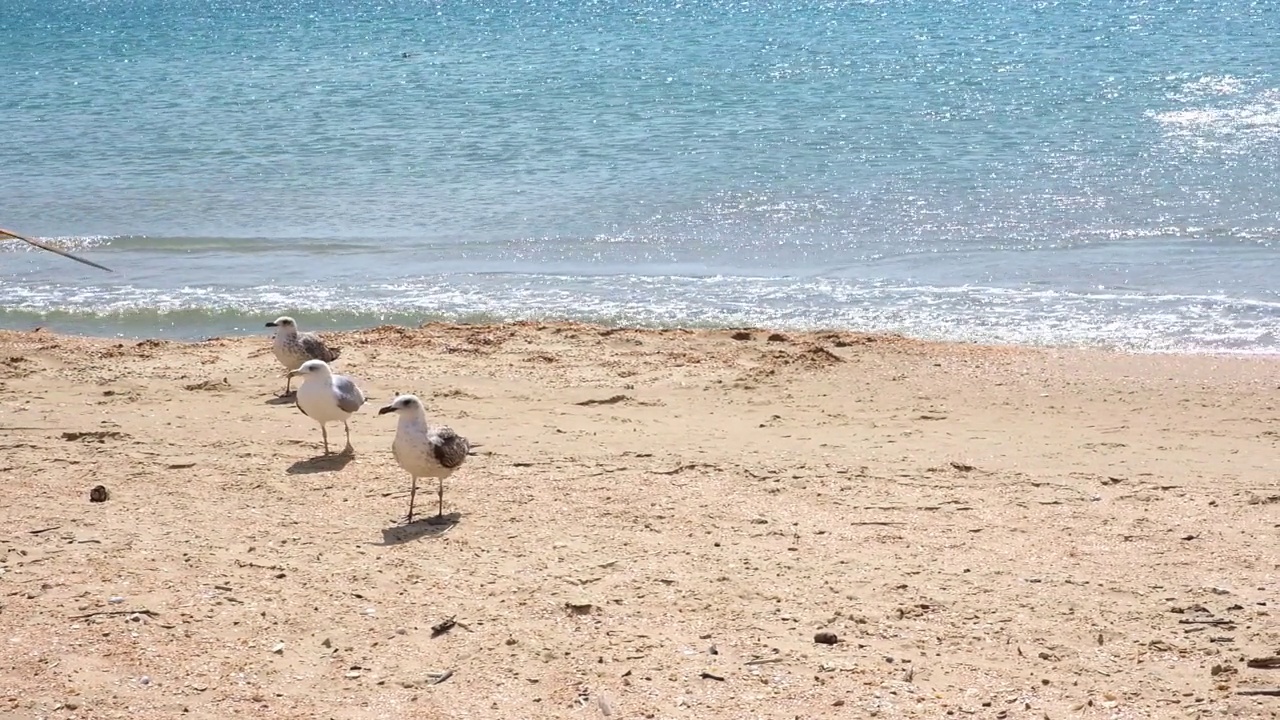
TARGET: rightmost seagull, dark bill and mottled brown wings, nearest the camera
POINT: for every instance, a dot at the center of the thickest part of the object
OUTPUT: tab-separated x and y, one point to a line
424	450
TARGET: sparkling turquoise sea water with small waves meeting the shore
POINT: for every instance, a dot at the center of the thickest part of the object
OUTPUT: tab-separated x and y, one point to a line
1090	172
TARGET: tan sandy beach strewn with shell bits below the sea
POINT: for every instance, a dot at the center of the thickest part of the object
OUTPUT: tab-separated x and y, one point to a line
657	526
